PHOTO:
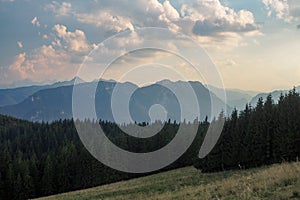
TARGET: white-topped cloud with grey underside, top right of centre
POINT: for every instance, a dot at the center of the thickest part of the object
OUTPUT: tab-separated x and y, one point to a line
211	18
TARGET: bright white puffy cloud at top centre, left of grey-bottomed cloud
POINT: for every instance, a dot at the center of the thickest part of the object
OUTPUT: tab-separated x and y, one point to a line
126	15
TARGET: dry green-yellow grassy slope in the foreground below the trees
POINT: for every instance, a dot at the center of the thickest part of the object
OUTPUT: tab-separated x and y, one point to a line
273	182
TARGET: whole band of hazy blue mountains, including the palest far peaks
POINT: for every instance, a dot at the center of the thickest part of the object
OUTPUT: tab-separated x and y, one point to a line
54	102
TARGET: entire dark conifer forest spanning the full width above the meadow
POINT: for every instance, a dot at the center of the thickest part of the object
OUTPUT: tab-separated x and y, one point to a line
39	159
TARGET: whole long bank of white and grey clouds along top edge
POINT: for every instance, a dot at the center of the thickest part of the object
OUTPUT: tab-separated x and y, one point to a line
204	18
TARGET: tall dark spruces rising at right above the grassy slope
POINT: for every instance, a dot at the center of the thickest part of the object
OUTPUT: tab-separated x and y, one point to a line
266	134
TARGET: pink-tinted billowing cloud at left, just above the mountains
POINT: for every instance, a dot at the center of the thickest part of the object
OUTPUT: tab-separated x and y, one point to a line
58	60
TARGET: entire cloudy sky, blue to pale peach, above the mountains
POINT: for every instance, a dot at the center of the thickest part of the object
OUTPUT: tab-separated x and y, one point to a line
253	44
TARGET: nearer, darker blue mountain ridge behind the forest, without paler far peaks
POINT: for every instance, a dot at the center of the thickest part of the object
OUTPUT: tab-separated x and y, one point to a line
56	103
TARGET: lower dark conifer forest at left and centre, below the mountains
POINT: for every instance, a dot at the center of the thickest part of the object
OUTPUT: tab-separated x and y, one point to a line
40	159
